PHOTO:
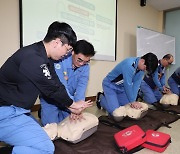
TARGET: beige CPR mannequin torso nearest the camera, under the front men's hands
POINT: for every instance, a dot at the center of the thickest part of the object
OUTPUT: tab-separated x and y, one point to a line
73	131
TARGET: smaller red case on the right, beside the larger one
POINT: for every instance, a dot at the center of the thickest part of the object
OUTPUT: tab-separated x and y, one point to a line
157	141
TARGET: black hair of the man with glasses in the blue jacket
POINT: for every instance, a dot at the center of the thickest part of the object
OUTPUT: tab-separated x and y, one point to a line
84	47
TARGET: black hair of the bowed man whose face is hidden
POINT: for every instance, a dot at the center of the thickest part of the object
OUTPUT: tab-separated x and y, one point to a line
151	62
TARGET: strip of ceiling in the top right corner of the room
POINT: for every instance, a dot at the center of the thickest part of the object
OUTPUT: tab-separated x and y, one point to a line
162	5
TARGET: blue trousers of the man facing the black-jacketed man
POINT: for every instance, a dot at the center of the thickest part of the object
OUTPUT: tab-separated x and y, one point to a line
51	114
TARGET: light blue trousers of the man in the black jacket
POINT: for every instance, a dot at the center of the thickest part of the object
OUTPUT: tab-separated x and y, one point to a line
23	132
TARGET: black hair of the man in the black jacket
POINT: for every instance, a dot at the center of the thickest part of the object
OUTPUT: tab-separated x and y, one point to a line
63	31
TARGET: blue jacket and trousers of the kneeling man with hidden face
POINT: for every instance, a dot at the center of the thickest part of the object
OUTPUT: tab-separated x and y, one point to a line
121	85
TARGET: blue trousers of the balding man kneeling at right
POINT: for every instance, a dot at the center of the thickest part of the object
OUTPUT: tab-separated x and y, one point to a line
150	95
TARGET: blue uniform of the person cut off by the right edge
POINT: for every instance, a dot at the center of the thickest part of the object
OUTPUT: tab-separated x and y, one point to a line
174	82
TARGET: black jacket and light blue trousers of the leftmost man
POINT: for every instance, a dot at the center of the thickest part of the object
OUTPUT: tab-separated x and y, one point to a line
24	76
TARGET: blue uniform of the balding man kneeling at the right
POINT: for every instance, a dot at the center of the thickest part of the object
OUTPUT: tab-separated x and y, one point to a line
152	86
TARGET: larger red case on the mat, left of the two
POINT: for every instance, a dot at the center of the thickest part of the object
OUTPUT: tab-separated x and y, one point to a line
130	138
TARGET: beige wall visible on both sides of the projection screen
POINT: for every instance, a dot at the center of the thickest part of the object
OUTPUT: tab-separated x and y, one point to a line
130	14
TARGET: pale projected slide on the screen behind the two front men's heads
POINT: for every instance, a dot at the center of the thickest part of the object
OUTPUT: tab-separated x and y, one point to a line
93	20
